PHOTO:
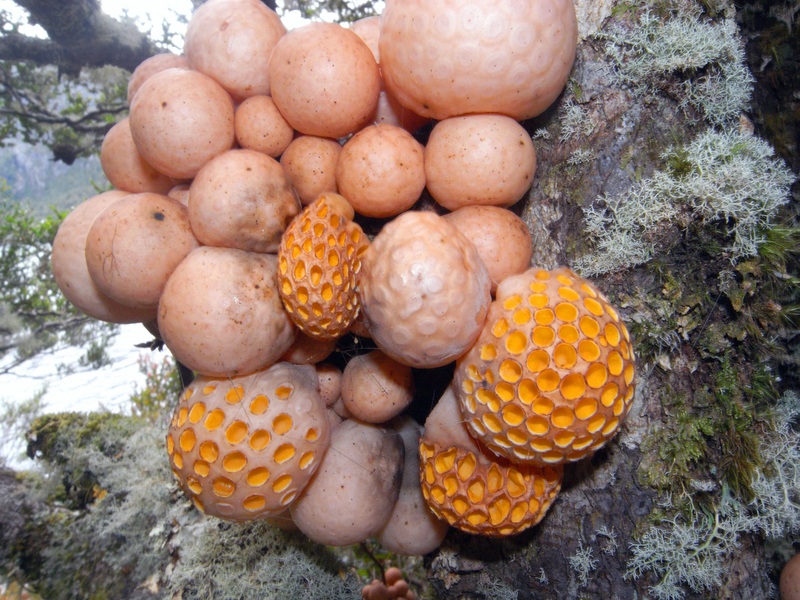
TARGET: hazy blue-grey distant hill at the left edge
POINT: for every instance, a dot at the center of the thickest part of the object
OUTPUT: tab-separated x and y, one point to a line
36	179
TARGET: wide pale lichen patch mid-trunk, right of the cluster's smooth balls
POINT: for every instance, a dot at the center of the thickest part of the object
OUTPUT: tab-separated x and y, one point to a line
730	178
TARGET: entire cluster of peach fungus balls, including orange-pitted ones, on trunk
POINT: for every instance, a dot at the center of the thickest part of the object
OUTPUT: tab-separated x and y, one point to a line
244	264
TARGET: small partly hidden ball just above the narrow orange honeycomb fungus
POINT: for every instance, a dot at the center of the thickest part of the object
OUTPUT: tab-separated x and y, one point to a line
310	163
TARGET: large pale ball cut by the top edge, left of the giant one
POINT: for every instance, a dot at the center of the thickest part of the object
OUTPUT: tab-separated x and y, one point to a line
231	41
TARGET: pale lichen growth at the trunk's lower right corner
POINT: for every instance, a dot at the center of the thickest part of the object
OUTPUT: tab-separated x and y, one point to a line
694	548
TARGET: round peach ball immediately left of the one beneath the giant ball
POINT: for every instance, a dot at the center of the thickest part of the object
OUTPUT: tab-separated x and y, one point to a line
381	171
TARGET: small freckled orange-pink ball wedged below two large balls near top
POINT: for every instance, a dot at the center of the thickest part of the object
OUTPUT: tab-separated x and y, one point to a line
259	126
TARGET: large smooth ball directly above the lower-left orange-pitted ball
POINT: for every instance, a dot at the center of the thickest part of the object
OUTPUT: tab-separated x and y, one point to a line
221	314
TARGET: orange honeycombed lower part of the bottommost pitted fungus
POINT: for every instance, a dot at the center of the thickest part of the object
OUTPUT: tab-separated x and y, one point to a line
482	495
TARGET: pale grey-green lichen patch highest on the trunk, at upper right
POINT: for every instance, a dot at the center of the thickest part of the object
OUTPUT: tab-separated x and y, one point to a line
710	55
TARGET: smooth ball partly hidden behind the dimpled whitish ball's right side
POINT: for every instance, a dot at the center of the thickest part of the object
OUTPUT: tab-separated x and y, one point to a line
503	240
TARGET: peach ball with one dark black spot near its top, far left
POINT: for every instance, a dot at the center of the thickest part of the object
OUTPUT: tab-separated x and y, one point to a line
134	245
